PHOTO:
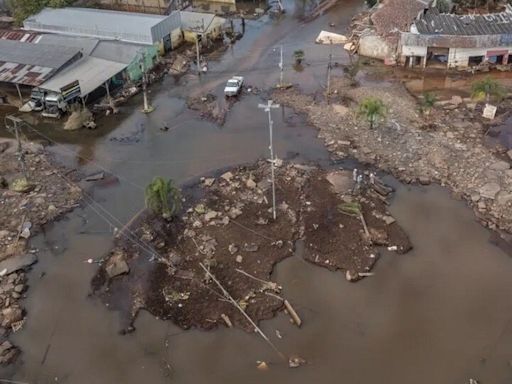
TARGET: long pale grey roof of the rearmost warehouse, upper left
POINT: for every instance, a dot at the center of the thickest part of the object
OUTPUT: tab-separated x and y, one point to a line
104	24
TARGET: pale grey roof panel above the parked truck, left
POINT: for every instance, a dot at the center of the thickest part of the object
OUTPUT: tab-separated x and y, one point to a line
90	72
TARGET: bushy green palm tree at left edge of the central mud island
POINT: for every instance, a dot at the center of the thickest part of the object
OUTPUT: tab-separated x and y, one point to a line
163	198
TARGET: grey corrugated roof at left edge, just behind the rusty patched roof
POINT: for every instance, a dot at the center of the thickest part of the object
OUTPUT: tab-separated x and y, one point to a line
43	55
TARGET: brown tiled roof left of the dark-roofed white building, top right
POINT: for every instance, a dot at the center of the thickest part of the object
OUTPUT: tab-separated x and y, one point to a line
394	16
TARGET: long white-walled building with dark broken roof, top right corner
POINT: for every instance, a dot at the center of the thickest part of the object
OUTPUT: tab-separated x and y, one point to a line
457	41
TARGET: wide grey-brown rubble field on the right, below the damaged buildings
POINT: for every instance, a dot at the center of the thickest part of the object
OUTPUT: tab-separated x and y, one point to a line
447	146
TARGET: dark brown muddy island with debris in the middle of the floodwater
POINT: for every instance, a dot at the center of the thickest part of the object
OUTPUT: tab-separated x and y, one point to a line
230	231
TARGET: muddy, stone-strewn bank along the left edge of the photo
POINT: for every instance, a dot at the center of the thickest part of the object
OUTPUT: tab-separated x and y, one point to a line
25	208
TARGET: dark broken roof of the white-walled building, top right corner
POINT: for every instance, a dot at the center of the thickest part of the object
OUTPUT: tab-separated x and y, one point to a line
432	22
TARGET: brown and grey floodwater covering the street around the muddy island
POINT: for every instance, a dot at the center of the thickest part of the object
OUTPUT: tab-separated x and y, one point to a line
439	314
